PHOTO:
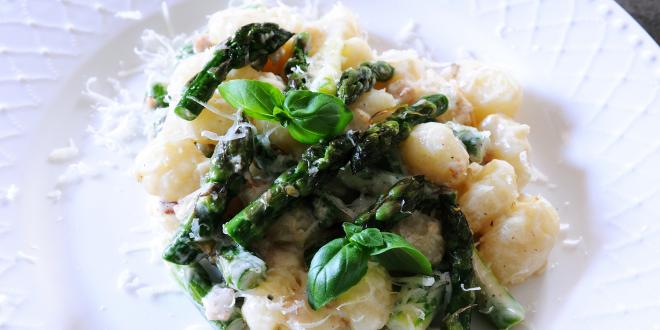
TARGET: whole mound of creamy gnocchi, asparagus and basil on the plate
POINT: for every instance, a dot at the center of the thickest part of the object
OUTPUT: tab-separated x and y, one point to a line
305	181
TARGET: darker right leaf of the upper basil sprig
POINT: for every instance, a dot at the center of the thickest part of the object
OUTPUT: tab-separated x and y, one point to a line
315	115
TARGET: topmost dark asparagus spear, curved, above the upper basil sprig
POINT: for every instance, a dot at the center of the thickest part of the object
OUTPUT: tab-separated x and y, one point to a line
251	43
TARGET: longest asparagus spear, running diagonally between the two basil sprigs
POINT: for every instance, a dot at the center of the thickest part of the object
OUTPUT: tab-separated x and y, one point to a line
322	161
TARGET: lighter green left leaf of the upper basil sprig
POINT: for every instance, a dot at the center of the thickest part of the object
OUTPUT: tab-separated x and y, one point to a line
256	98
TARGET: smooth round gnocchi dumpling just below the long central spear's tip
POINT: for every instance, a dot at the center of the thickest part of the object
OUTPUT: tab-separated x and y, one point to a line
432	150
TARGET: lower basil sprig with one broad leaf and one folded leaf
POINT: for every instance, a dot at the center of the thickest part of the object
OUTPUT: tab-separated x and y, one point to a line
341	263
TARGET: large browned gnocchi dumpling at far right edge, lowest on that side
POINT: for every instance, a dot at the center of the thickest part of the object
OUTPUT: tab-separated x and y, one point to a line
519	243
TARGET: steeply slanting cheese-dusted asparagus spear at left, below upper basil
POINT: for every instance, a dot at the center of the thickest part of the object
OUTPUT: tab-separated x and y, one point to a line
229	161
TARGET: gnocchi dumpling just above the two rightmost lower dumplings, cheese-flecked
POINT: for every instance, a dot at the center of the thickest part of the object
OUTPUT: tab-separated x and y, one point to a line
508	141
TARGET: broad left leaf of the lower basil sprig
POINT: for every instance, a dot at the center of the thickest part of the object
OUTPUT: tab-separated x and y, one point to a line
335	268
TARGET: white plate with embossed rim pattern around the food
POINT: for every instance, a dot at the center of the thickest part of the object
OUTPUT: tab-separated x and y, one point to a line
591	77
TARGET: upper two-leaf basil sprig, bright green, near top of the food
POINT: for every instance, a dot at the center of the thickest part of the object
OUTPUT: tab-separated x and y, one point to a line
309	116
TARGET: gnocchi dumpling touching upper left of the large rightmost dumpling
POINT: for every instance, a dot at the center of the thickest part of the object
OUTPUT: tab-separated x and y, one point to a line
490	191
